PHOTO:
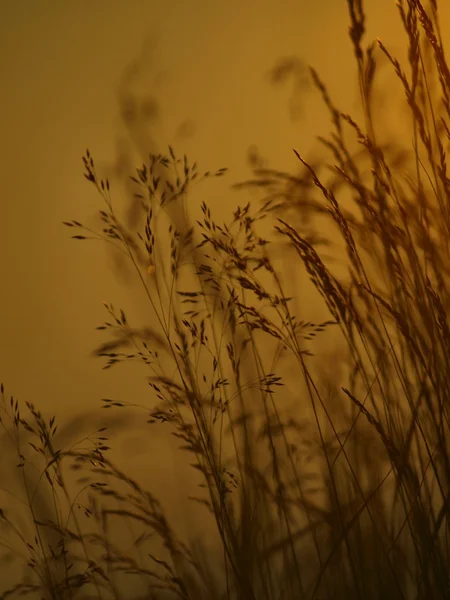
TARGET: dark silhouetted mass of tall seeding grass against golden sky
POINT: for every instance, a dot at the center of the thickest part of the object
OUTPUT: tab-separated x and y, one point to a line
369	519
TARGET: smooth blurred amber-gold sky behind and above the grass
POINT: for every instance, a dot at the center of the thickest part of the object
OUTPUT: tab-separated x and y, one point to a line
124	79
